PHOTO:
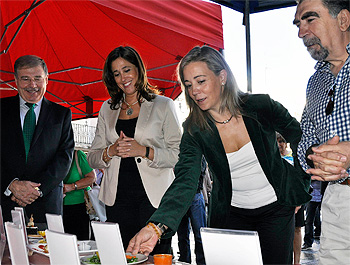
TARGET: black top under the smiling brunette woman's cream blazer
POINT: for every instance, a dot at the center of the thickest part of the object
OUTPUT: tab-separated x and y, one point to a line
130	187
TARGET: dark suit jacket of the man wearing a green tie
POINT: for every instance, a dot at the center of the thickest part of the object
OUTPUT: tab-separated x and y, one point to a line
49	158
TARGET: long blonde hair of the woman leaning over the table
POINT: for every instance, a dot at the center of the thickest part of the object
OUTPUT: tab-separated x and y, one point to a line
230	94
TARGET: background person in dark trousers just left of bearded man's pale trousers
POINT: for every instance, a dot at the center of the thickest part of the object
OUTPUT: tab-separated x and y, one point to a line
313	208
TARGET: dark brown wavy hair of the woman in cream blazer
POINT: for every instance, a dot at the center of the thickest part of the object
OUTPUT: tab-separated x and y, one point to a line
144	88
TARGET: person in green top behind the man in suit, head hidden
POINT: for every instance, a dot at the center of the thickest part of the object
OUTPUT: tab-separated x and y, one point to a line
80	176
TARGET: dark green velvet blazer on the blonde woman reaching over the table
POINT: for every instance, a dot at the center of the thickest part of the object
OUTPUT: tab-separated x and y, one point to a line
262	117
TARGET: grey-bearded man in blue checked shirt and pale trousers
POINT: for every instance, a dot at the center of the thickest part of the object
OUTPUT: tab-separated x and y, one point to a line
324	149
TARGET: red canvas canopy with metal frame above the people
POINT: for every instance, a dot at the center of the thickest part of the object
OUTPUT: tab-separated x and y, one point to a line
75	37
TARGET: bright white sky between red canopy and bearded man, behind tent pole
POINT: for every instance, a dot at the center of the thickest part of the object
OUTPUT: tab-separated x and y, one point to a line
281	66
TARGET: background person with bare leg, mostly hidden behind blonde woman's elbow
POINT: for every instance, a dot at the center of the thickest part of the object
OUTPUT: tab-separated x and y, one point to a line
299	210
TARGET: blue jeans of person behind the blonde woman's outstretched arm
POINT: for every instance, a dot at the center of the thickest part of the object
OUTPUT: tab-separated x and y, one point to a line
195	214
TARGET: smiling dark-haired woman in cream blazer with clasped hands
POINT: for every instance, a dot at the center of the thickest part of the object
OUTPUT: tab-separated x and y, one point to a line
137	143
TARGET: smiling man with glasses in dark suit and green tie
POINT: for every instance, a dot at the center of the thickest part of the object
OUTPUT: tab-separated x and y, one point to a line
36	144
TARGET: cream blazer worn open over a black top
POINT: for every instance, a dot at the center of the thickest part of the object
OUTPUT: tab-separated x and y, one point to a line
157	127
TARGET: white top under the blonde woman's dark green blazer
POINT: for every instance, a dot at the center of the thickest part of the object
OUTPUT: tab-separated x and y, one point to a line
250	187
